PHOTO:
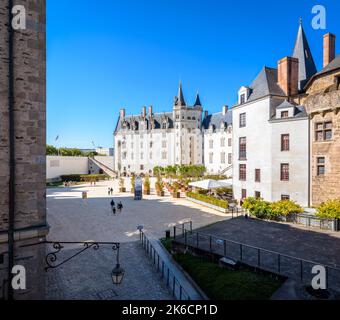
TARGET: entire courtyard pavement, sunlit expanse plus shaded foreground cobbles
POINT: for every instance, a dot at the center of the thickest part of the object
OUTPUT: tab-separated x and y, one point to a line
87	276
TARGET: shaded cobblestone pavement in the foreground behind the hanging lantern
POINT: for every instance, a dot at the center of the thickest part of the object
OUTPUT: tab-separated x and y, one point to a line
88	276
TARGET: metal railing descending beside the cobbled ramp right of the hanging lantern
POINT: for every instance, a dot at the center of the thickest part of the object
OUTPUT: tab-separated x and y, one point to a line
174	285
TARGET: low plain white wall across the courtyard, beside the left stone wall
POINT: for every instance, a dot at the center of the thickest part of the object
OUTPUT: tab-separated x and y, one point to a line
58	165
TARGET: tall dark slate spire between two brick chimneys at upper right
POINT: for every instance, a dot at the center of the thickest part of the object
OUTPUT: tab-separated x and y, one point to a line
302	52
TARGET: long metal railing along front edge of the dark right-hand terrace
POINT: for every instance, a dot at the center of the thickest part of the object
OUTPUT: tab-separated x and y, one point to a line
267	260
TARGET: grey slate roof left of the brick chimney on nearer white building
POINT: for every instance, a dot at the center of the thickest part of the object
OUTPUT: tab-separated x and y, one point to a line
265	84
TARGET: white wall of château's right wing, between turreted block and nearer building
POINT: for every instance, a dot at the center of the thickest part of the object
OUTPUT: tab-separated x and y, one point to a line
219	150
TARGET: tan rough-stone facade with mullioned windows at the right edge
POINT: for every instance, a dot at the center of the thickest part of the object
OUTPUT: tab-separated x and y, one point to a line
322	101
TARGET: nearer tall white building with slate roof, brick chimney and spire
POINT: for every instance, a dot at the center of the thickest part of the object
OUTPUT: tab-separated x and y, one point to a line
270	132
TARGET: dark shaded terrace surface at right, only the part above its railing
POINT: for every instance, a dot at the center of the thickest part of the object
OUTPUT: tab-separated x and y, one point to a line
293	240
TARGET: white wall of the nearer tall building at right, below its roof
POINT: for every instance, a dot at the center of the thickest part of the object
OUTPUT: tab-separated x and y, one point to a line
264	153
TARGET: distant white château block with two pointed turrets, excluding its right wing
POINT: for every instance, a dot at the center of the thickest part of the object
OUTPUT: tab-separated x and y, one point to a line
159	139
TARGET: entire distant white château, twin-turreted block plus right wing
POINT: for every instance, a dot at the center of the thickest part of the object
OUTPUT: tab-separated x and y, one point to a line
179	137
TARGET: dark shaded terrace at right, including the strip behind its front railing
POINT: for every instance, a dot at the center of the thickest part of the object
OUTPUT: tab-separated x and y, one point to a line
272	246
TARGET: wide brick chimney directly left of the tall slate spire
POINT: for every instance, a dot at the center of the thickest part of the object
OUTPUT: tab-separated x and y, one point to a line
288	75
